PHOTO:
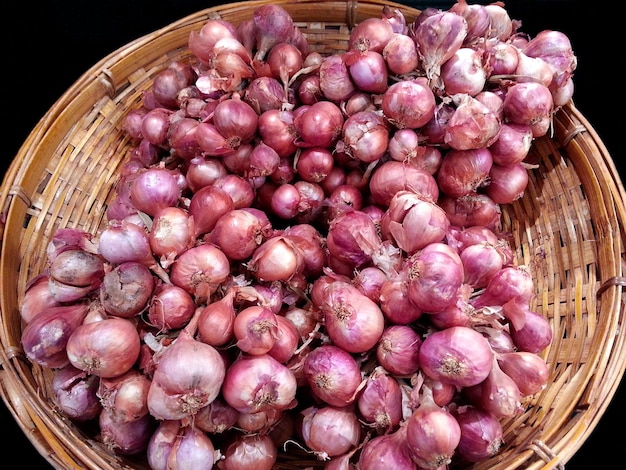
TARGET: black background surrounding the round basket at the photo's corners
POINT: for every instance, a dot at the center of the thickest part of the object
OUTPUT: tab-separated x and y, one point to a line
48	45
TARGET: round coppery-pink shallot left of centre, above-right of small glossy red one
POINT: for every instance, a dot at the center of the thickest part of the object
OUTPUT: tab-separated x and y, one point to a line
200	270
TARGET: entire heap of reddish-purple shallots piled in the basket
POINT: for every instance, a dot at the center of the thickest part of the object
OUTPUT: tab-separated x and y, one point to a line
304	251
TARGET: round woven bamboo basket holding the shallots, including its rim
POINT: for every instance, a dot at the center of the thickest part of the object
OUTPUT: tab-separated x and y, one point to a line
569	228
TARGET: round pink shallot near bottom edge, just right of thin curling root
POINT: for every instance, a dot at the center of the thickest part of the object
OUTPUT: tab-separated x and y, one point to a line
329	431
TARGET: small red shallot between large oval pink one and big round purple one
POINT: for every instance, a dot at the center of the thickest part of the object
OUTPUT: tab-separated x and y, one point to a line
398	350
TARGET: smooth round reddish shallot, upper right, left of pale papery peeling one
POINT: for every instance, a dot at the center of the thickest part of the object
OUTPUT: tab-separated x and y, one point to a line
408	103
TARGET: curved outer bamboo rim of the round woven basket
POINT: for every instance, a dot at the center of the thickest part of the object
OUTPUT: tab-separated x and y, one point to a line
101	81
